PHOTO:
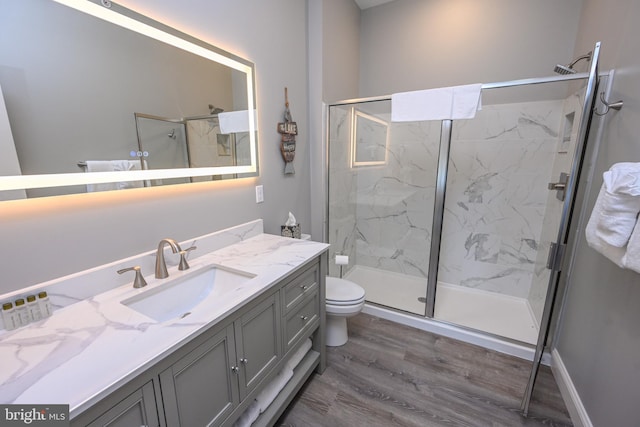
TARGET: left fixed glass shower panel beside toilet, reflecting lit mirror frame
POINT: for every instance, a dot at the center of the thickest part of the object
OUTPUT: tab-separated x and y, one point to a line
382	179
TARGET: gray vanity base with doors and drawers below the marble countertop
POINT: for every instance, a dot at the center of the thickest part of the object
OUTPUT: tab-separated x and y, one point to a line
212	378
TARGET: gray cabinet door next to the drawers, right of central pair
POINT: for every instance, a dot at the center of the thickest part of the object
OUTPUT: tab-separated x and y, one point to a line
258	343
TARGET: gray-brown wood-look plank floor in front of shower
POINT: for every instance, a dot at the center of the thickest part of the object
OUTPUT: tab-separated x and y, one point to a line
395	375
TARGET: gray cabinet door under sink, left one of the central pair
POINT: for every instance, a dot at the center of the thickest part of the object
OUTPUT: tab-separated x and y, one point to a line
201	389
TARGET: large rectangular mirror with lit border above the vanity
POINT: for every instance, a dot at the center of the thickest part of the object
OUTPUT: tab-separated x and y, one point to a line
96	97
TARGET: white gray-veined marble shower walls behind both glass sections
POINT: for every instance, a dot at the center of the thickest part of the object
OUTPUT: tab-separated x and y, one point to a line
495	205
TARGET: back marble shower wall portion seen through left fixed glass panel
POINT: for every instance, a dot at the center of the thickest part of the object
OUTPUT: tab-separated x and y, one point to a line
394	202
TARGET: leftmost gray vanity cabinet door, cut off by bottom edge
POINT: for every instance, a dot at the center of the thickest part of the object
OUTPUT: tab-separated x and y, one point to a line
137	409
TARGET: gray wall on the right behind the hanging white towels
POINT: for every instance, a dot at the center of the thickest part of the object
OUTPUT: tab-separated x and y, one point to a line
598	341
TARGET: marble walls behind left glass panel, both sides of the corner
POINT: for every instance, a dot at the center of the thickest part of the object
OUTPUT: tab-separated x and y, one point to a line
381	215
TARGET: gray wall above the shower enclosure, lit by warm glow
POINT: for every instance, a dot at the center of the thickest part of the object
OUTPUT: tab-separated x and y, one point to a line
417	44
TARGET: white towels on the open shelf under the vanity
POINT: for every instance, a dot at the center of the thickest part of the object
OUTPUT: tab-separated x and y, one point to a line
271	390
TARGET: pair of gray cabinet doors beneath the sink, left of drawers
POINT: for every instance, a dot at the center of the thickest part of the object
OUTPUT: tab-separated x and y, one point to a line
204	386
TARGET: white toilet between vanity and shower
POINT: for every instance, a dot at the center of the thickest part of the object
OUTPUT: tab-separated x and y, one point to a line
344	299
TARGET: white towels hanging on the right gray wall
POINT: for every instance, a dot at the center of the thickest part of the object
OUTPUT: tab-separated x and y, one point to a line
613	228
